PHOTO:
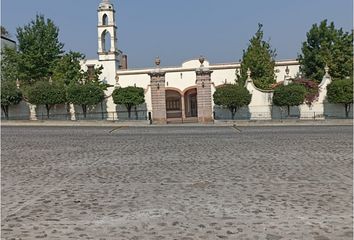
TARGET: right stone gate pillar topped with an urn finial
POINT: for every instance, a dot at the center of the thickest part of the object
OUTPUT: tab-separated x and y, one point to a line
204	101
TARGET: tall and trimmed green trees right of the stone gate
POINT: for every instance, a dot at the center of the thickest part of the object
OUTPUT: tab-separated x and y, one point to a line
325	45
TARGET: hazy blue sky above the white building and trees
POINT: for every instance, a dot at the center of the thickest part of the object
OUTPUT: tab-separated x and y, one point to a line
180	30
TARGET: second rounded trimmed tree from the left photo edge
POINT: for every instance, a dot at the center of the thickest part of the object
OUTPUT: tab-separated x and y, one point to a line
46	93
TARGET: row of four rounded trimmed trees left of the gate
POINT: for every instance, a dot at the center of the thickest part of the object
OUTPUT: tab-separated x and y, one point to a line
86	95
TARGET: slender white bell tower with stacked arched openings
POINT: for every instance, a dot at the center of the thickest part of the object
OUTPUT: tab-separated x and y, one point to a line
107	33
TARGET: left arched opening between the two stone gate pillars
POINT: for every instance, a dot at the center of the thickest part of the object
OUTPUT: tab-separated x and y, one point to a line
173	104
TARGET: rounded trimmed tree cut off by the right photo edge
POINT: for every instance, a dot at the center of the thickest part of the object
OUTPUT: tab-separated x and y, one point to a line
341	92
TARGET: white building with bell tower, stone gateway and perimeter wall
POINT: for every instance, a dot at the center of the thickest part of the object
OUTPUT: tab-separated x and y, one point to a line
180	93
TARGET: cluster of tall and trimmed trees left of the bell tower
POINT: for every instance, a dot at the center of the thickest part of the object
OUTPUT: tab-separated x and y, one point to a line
48	75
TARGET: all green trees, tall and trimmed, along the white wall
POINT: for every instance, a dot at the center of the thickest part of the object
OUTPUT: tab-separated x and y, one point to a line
50	76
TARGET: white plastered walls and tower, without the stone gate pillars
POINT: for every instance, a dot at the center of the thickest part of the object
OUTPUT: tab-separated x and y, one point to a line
181	79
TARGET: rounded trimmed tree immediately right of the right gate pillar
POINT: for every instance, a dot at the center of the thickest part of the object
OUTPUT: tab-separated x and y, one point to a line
232	97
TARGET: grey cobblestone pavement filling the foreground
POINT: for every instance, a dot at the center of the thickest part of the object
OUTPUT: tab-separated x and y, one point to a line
180	183
